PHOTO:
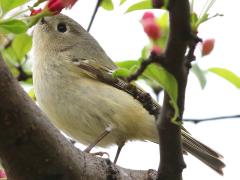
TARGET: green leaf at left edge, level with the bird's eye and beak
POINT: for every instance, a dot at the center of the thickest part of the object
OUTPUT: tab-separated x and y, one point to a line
13	26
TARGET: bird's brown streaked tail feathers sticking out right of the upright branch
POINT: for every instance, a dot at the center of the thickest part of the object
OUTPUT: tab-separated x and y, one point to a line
205	154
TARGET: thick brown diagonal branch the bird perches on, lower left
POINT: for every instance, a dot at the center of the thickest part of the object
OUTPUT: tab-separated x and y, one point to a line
31	148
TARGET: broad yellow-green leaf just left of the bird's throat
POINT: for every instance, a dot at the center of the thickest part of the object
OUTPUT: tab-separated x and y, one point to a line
21	45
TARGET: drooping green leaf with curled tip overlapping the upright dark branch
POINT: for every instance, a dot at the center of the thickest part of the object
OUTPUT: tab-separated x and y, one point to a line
168	82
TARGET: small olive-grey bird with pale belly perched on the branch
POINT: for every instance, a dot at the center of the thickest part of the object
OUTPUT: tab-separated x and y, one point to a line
84	107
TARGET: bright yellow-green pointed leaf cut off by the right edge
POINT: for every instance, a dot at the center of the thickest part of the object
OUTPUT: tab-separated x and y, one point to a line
227	75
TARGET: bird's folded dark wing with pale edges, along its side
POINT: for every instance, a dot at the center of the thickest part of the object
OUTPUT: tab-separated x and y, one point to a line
104	74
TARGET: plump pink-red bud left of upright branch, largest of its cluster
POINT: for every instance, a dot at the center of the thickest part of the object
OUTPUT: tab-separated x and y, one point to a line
151	29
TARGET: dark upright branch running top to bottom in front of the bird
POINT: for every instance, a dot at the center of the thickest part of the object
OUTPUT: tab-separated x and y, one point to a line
172	163
